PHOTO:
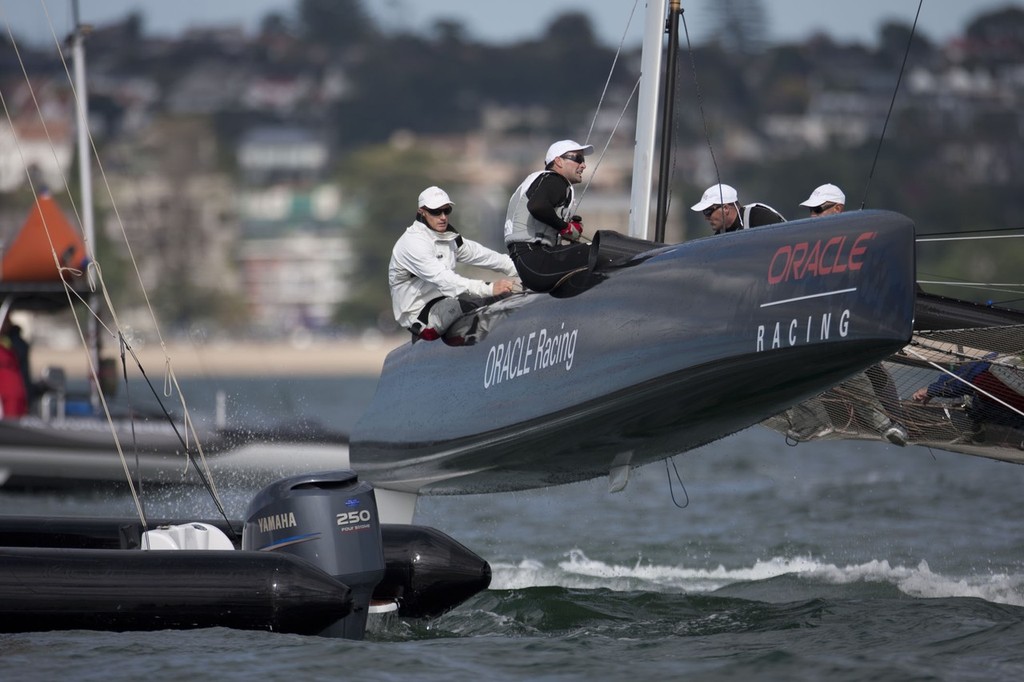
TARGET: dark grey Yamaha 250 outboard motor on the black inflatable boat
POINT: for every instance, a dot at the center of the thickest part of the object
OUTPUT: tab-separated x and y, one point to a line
330	520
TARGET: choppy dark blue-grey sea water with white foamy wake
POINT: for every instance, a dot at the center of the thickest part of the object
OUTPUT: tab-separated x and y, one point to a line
839	561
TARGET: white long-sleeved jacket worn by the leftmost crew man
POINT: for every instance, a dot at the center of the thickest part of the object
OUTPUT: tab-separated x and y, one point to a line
422	269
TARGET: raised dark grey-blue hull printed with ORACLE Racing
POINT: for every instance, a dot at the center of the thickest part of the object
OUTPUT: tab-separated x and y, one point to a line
670	351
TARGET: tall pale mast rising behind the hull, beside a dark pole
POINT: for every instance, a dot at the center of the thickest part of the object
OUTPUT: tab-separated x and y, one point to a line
644	159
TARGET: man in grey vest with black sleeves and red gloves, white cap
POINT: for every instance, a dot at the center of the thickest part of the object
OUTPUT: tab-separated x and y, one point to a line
542	232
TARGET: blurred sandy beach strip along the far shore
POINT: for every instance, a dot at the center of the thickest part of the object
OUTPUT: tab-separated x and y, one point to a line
317	358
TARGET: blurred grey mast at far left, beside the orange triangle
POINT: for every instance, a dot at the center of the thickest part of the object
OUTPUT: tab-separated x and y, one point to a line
86	179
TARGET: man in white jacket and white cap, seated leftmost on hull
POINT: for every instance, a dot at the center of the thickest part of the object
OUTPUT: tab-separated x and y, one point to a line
428	295
